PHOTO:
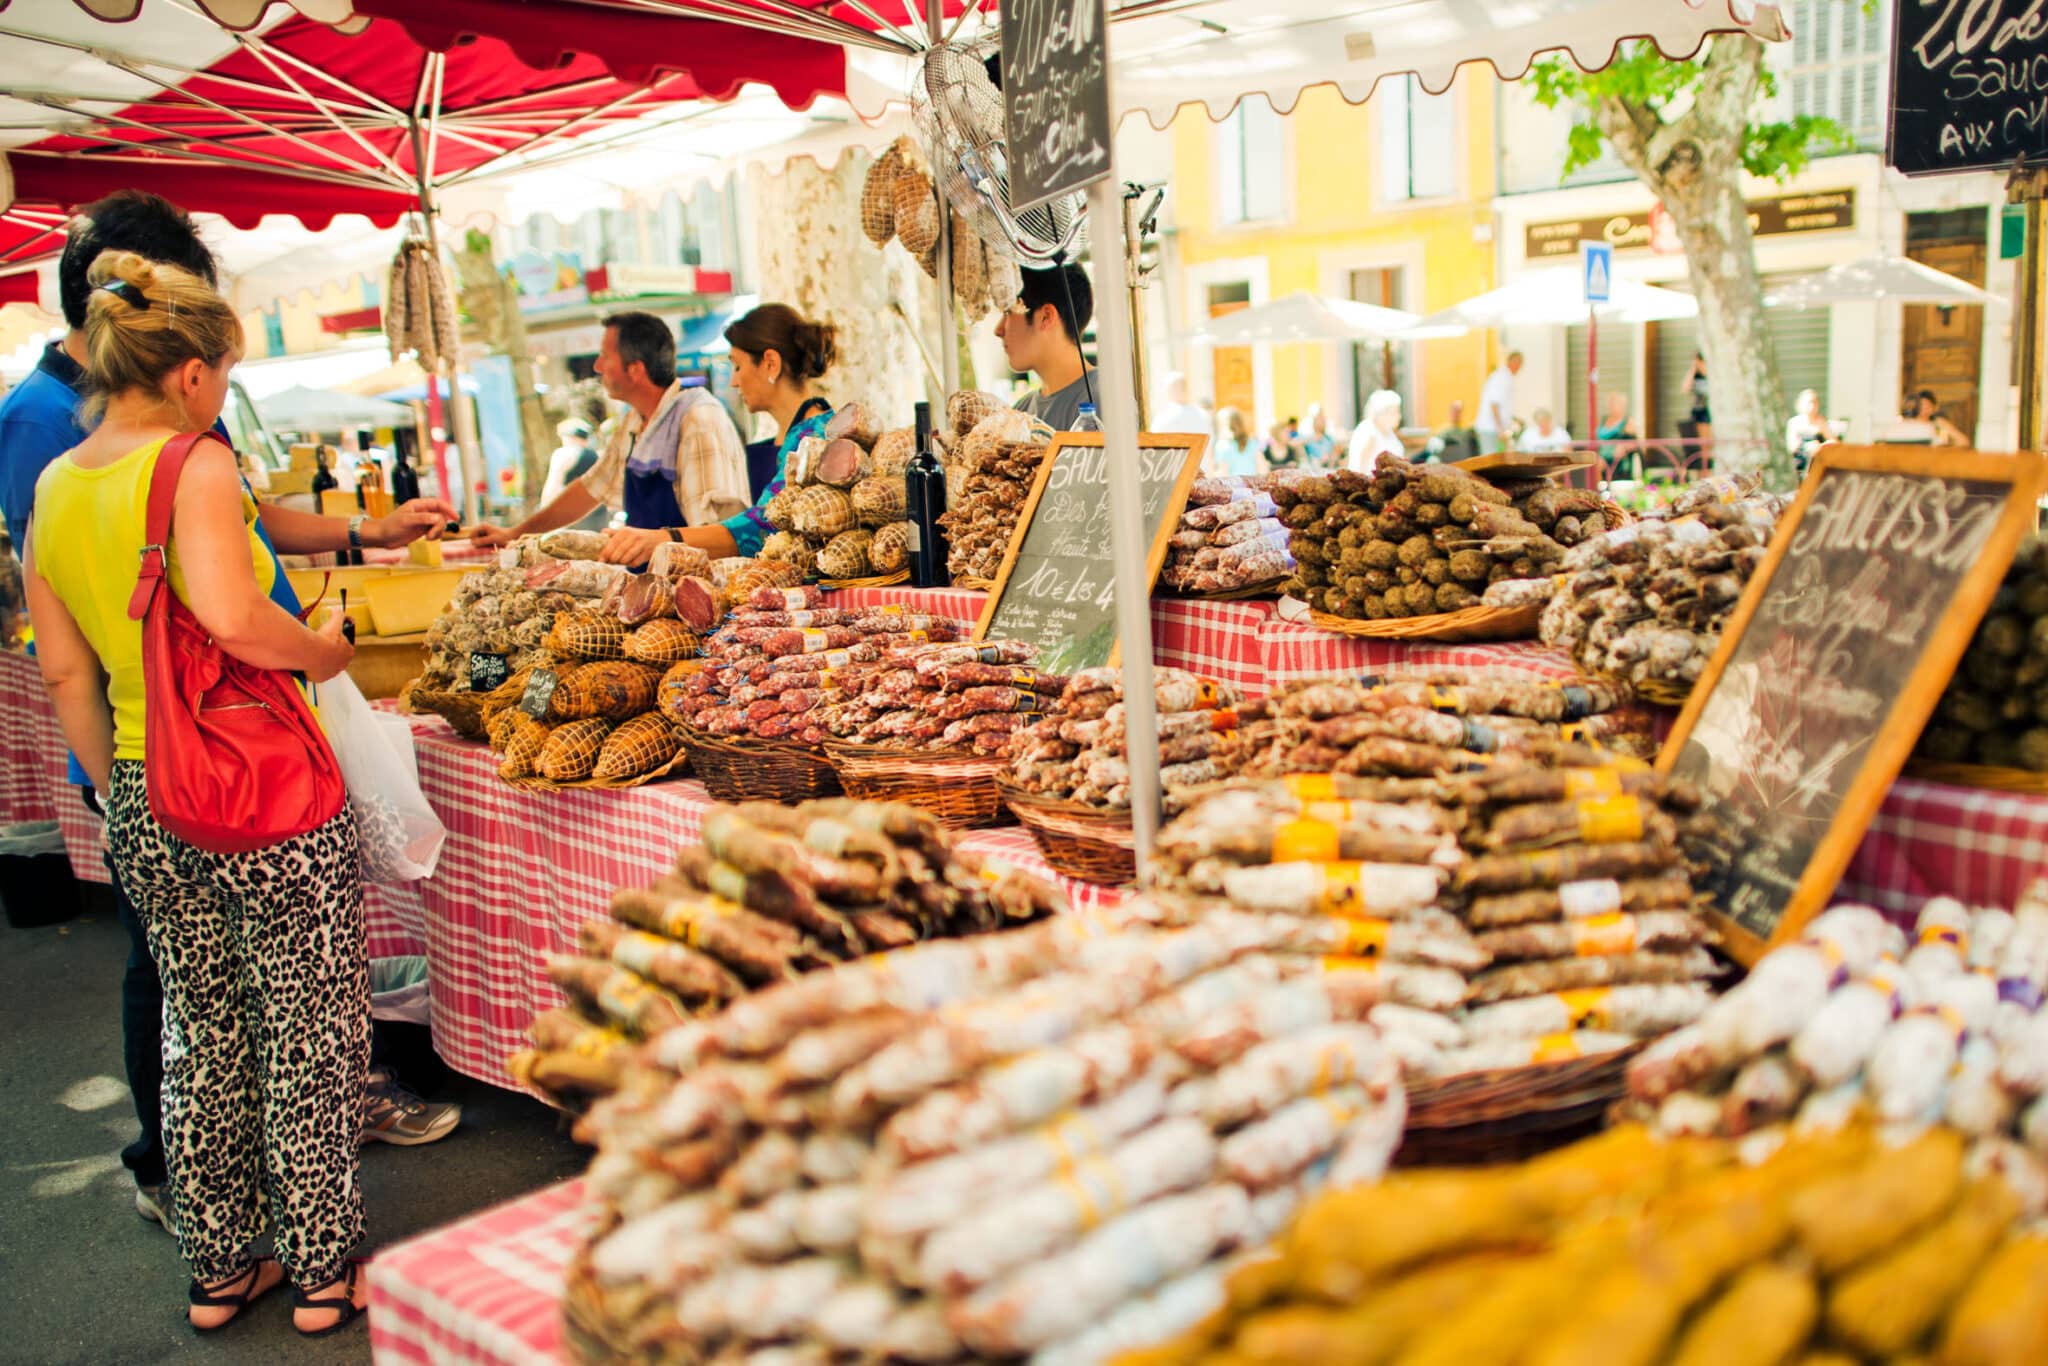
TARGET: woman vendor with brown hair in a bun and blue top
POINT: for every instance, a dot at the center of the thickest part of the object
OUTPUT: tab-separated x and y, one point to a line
777	359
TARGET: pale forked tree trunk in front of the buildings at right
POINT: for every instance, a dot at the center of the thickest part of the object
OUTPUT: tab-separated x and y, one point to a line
1695	167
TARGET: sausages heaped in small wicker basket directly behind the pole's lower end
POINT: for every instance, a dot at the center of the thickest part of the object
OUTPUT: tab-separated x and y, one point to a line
1078	751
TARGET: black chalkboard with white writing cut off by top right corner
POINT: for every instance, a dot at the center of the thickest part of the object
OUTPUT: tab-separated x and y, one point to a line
1969	85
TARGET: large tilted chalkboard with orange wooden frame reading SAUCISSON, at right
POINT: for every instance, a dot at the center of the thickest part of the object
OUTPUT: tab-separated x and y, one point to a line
1832	665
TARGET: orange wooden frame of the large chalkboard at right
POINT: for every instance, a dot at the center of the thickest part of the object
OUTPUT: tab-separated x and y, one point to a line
1900	730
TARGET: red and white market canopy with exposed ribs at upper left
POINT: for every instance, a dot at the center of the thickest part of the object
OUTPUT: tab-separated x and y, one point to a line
368	116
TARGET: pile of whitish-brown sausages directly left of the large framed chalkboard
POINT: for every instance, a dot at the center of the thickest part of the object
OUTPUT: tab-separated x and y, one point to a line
1648	603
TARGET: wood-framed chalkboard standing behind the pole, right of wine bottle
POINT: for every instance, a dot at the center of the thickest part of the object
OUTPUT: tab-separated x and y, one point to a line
1058	589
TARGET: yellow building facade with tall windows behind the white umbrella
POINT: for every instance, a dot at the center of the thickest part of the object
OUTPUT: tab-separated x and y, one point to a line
1385	202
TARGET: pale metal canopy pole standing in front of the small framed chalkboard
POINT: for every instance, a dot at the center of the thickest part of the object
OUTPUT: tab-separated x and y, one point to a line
1117	404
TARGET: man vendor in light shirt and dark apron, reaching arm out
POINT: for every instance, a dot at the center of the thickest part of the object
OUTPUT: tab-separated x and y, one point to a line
673	464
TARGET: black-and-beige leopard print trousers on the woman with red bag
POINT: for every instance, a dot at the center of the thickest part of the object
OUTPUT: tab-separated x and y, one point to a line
267	1035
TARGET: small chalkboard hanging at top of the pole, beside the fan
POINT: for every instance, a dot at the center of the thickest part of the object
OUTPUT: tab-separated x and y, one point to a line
1056	97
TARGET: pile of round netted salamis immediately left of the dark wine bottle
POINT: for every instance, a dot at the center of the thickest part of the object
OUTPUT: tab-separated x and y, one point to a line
841	511
